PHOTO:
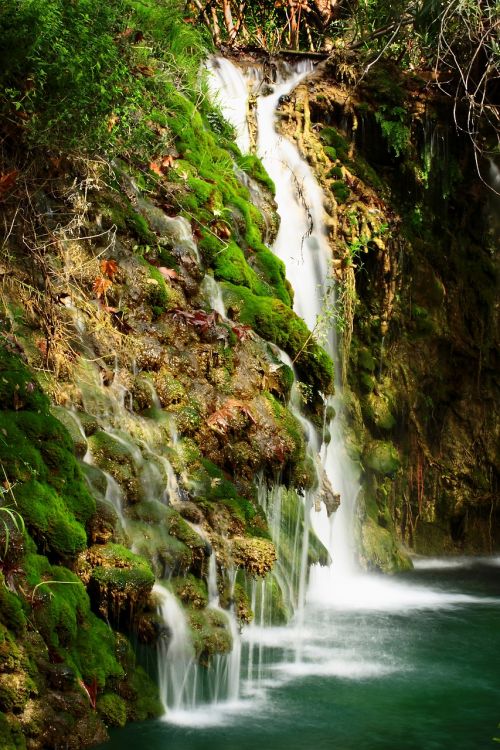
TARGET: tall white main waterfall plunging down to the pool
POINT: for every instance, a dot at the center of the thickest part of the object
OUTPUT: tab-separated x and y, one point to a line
302	244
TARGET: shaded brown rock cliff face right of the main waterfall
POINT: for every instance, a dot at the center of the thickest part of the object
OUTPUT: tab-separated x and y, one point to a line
413	236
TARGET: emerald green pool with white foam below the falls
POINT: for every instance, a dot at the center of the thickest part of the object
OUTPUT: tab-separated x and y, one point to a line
413	665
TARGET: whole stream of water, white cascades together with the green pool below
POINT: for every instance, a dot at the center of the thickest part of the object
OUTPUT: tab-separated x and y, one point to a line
390	663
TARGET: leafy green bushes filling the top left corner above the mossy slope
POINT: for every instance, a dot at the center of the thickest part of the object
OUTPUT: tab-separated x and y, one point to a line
74	75
